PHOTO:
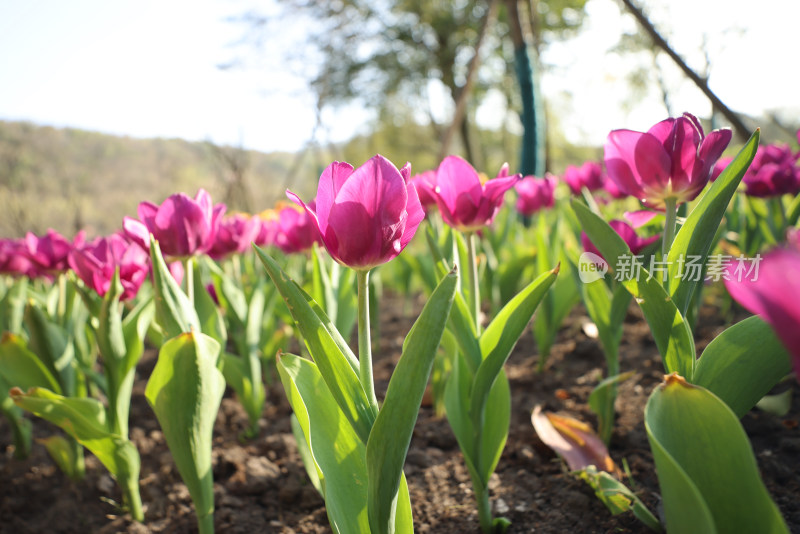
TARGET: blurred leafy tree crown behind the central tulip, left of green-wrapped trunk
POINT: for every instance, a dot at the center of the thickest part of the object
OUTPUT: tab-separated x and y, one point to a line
410	62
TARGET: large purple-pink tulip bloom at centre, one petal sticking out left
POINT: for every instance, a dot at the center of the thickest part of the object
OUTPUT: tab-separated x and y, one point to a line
365	216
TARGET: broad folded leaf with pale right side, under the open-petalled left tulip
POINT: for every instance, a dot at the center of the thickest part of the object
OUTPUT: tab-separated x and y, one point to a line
185	391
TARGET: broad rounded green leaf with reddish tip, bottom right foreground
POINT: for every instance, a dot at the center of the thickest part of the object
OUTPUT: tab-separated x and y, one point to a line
706	469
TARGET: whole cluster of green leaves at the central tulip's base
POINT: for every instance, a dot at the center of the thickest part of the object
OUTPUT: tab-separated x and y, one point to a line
361	477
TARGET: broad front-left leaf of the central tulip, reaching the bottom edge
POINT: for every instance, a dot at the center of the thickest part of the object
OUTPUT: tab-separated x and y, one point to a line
342	468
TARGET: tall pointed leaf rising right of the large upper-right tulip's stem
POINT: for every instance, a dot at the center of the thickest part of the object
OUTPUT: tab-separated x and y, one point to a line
696	235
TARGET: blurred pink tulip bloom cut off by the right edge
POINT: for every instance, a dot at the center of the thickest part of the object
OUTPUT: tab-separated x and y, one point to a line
773	292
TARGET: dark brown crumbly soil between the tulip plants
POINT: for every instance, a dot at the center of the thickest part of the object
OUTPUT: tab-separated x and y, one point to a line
261	485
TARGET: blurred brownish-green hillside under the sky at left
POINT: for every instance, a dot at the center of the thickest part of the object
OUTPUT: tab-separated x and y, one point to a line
69	179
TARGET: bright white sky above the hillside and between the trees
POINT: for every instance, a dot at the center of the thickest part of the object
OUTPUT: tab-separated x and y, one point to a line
149	68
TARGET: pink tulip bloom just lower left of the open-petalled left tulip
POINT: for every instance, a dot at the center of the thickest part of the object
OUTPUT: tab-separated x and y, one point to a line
95	263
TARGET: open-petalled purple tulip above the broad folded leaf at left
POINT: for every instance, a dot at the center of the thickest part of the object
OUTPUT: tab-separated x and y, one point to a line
183	226
